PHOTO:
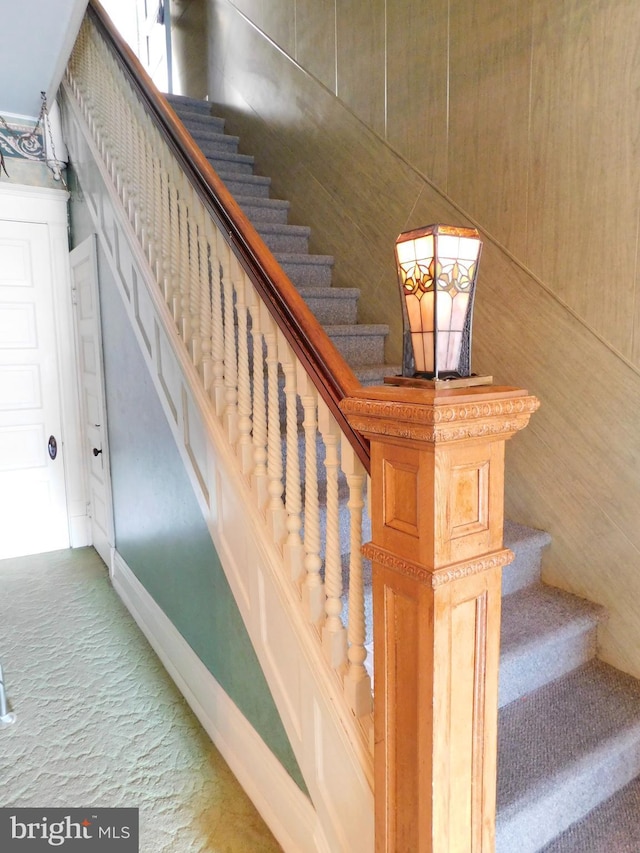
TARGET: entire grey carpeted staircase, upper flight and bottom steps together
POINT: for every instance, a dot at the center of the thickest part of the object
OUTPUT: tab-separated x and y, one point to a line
569	725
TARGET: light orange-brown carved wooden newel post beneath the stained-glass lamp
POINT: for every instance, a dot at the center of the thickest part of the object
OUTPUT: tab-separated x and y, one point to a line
437	483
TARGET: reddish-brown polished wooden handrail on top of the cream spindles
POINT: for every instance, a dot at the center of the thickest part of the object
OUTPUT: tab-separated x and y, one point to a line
327	369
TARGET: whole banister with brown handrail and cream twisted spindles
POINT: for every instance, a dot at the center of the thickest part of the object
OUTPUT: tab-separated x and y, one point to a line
259	353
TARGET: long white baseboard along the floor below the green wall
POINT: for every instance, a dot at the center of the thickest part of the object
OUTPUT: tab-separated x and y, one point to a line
285	809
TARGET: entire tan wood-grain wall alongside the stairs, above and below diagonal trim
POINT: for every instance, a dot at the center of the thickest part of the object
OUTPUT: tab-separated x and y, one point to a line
526	115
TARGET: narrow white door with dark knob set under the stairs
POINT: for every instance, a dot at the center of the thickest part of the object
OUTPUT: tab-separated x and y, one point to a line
84	281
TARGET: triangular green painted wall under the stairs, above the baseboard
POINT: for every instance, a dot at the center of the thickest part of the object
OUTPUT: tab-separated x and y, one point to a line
160	531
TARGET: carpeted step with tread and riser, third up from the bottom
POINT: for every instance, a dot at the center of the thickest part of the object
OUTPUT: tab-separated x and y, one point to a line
545	633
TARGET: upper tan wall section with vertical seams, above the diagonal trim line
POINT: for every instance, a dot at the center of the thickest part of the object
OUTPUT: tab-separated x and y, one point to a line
527	115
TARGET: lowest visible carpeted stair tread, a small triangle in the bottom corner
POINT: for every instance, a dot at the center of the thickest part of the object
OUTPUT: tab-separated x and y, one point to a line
612	827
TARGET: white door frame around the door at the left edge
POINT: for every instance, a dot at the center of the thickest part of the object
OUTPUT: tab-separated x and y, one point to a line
21	203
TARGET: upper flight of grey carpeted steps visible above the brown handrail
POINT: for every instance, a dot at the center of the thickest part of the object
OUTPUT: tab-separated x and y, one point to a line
361	345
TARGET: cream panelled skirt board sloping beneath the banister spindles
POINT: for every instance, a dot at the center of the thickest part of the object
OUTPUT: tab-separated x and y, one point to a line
327	744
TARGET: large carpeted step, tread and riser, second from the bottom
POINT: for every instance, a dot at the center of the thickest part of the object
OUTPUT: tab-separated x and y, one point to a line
562	750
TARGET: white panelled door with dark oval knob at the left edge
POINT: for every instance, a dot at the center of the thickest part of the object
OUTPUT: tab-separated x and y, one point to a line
33	507
